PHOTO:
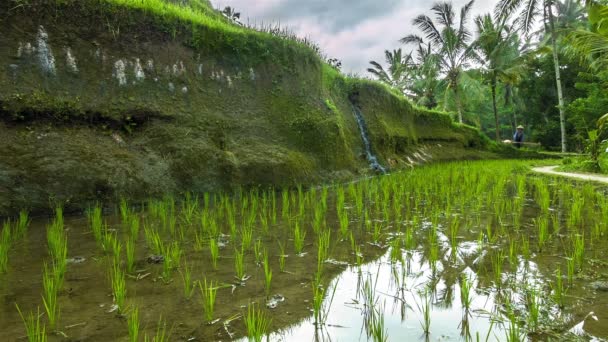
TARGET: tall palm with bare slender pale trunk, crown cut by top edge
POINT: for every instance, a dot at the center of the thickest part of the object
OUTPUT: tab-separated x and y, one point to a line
530	11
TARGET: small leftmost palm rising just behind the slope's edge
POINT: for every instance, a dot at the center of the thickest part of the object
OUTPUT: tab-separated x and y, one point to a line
398	69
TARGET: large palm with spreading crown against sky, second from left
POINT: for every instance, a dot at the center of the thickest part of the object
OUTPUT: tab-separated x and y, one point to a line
450	42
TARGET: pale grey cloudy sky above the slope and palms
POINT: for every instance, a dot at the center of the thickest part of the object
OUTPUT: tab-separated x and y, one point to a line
354	31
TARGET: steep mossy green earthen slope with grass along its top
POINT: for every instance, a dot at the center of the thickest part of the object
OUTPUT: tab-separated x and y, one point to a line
221	106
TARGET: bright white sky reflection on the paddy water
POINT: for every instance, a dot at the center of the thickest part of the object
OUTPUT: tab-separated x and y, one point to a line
346	319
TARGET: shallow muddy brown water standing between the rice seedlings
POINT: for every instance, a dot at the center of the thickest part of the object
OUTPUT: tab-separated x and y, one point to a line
401	277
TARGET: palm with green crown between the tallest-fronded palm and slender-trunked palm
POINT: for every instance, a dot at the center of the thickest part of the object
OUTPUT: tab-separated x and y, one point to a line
497	48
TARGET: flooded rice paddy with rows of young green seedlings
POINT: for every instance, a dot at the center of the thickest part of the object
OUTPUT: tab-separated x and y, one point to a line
466	251
